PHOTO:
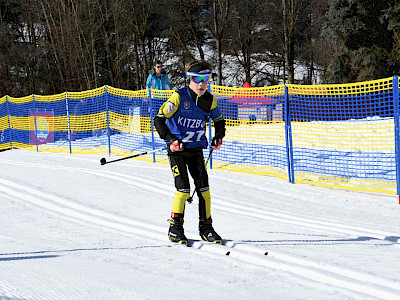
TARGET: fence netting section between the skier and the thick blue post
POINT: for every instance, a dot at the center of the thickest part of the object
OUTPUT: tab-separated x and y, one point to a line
255	136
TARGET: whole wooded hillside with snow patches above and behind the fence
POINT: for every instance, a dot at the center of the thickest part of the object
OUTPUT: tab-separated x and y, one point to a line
49	47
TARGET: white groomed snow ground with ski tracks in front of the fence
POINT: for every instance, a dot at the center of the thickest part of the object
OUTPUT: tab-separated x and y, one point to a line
73	229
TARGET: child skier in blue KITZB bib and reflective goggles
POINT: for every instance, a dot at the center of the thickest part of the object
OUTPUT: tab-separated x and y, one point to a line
181	122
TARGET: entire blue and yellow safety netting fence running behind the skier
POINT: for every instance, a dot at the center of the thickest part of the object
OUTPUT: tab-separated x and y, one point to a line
331	135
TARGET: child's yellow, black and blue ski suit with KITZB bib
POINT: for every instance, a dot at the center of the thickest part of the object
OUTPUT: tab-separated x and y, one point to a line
184	117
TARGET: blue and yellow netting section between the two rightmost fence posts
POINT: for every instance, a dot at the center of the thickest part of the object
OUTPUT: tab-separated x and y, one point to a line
343	135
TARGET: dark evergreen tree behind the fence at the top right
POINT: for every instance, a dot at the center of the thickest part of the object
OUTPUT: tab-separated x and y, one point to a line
364	38
